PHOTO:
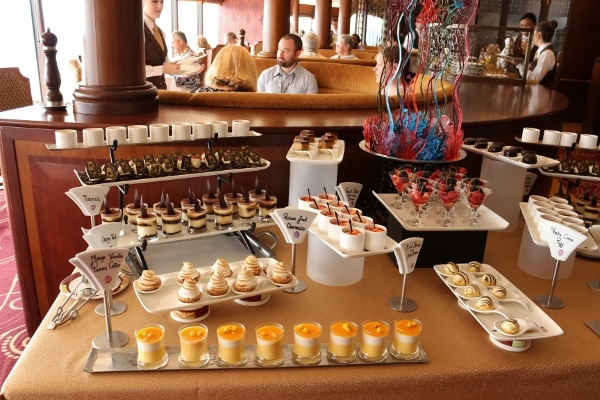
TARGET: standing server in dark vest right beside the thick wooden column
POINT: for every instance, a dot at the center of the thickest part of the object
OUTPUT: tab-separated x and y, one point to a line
155	46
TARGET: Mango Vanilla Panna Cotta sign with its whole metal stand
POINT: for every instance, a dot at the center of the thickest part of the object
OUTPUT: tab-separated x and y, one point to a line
102	267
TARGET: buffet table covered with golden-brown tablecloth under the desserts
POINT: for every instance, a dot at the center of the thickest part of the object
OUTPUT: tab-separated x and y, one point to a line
462	361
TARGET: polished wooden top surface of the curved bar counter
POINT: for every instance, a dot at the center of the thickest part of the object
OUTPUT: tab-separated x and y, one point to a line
485	106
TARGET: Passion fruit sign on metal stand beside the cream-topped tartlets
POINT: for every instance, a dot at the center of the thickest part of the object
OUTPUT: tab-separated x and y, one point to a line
294	224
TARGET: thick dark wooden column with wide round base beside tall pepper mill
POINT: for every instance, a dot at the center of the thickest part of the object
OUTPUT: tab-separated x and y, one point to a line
115	78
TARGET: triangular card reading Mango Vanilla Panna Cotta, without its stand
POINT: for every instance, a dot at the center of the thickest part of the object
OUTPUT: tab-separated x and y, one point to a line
101	266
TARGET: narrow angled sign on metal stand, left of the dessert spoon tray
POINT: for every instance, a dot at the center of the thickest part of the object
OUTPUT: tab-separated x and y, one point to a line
406	252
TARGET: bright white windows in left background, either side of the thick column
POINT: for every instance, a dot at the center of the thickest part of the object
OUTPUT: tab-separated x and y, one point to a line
21	42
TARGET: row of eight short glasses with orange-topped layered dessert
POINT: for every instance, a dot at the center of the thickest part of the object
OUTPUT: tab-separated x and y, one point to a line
231	351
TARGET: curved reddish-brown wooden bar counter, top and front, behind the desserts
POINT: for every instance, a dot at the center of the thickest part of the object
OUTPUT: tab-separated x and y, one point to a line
46	224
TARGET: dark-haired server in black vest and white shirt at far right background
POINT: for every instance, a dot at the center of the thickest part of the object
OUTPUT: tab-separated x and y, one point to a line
543	68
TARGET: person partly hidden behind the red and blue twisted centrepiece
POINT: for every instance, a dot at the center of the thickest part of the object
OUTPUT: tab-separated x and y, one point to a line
392	81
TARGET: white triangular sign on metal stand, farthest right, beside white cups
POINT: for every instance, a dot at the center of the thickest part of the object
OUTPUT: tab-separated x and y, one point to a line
562	241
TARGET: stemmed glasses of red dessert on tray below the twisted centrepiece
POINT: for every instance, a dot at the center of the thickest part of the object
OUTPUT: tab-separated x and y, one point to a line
447	186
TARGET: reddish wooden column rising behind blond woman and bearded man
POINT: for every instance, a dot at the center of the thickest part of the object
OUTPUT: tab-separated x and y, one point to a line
276	23
